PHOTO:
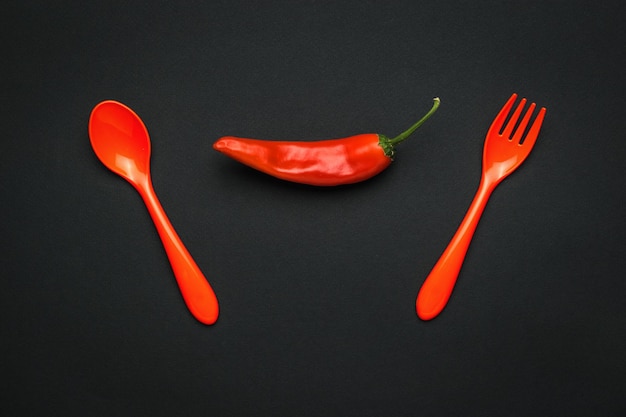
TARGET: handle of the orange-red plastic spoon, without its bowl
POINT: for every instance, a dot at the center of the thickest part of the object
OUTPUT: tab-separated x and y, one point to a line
196	290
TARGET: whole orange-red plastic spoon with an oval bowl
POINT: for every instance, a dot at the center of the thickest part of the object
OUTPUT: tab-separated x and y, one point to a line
121	142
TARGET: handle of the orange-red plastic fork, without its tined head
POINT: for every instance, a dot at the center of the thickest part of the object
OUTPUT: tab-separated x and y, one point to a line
436	290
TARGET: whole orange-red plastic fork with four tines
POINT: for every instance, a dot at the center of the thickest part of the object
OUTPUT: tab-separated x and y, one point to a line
502	154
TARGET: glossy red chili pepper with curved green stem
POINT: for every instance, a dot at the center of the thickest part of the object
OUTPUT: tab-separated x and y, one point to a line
323	163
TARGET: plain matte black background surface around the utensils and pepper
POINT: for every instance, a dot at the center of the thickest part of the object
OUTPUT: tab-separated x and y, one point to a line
316	286
